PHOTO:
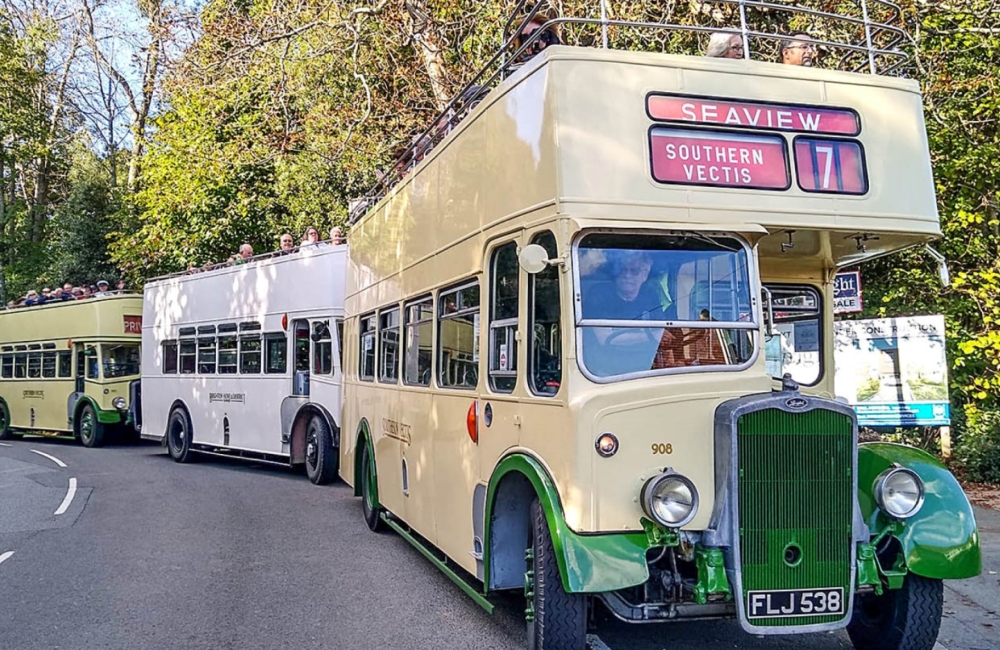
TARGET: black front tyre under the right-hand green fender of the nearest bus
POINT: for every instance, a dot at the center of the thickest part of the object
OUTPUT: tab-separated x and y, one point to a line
903	619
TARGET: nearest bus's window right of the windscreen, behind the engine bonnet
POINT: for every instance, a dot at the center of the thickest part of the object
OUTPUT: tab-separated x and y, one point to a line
796	346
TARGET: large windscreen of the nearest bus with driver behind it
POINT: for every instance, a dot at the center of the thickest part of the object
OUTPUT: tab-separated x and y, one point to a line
655	302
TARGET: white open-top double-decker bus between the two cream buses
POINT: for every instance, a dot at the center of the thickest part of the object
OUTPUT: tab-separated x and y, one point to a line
245	360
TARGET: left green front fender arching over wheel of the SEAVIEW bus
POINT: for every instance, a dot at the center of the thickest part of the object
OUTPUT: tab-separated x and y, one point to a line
587	563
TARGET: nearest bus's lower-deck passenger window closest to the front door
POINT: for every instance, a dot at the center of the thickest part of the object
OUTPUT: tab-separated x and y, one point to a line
458	337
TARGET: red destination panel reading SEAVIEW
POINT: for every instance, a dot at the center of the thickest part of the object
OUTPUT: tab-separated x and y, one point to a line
752	115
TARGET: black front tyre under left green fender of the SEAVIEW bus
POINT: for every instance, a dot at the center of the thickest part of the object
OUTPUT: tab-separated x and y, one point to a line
559	620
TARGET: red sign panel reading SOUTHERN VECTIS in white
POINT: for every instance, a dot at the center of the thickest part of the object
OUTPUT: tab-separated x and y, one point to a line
718	159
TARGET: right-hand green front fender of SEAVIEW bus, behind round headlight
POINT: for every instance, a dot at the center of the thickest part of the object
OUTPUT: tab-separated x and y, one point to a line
941	541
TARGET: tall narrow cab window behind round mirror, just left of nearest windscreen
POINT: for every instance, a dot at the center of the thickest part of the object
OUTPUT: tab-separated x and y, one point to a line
545	351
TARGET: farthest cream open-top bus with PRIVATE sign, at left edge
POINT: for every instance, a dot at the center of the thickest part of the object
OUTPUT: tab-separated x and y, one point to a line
70	367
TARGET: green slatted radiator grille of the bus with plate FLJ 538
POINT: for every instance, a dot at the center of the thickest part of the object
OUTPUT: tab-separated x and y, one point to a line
795	487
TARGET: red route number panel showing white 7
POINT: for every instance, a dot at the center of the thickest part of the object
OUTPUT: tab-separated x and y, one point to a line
830	166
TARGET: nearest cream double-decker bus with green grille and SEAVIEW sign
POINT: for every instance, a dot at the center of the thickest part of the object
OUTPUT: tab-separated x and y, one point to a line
589	347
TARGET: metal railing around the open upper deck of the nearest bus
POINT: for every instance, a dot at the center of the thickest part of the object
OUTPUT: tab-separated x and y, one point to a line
857	35
